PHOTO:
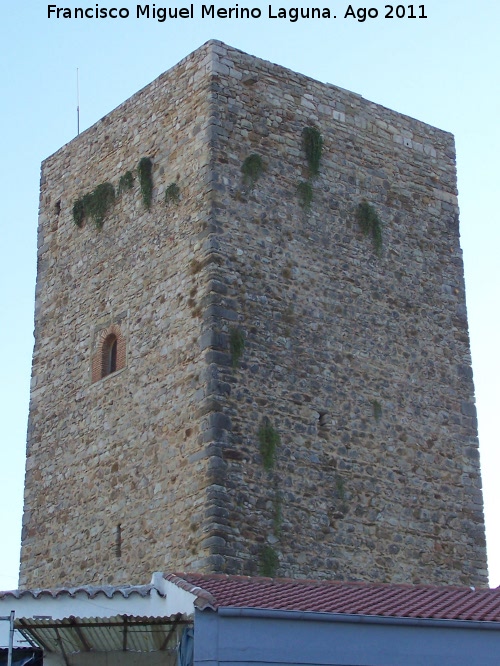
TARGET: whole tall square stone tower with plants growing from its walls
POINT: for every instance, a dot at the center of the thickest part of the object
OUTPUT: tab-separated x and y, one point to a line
245	360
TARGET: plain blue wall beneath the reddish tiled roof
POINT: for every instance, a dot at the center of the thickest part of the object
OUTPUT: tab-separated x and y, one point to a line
255	641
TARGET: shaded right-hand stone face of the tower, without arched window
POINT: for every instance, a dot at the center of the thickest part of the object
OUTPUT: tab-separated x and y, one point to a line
360	362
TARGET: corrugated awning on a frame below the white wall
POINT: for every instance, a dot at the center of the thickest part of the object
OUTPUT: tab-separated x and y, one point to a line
121	633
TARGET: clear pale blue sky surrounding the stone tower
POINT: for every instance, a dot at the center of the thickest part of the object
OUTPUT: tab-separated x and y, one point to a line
443	70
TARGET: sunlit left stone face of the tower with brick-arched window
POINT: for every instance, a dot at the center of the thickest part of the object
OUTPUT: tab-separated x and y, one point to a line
114	488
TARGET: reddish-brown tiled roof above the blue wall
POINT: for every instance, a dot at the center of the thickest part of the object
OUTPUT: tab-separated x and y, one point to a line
352	598
